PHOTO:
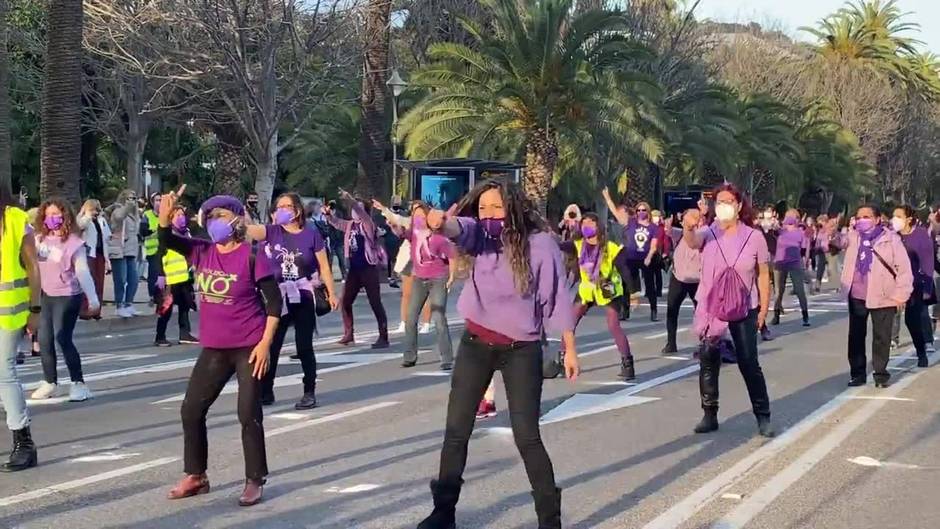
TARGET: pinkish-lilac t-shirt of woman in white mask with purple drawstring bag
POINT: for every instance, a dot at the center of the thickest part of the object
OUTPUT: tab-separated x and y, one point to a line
752	254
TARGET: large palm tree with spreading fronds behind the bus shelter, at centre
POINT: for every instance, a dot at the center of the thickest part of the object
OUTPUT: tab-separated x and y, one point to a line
533	80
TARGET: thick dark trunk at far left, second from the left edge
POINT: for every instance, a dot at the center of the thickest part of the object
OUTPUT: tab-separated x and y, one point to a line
62	103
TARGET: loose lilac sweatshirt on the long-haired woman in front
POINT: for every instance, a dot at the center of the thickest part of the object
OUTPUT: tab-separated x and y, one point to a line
490	298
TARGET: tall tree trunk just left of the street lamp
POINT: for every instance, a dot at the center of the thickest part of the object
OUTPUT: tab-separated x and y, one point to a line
371	180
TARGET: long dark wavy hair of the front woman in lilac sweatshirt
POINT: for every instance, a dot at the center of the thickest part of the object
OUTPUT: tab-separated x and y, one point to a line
521	221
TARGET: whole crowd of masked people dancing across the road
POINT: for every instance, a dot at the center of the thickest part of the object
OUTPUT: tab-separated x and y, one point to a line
522	283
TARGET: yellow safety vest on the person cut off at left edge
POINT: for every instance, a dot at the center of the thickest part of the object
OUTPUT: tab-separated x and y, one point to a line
14	285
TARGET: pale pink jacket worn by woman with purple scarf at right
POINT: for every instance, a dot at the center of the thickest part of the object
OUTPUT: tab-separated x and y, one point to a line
883	289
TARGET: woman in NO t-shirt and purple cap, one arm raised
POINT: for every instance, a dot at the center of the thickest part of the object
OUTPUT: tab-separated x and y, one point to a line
229	279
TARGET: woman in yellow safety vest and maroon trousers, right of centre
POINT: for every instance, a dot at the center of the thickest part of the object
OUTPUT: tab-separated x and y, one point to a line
600	284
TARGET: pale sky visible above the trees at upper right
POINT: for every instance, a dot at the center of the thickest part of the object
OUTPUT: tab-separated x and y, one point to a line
788	15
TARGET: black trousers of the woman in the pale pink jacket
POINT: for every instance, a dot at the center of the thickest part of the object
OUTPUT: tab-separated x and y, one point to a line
881	322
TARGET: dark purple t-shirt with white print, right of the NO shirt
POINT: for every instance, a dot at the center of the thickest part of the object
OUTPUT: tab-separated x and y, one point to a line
293	255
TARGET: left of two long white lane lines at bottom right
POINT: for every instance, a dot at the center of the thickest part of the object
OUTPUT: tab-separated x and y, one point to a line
682	511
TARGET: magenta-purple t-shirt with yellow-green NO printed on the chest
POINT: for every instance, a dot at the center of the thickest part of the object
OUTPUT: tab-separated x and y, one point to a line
231	313
